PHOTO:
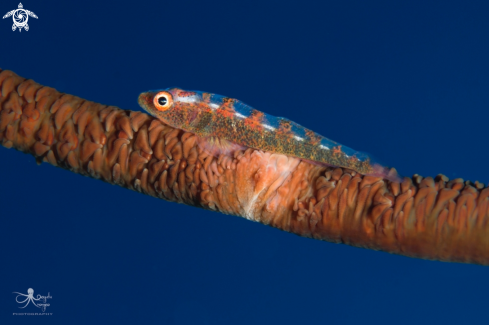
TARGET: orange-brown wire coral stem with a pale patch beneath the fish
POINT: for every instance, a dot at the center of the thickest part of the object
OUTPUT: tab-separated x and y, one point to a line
420	217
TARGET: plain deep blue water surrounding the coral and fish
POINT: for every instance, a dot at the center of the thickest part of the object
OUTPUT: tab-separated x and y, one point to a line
406	82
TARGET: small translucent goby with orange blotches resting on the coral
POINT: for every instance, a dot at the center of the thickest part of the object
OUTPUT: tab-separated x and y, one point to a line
225	124
